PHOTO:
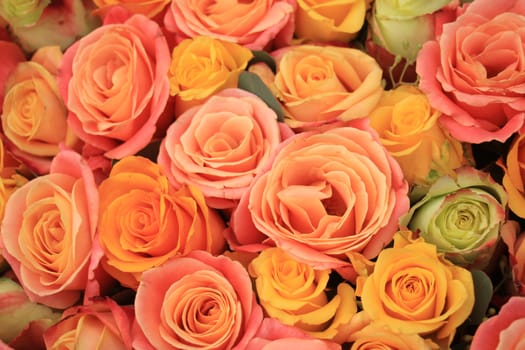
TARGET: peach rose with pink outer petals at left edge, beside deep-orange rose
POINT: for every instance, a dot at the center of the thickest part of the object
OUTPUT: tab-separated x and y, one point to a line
48	231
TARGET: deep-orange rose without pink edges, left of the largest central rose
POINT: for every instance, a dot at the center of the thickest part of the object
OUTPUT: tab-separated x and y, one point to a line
144	221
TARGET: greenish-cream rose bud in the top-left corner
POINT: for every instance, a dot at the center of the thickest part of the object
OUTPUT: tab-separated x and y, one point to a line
34	24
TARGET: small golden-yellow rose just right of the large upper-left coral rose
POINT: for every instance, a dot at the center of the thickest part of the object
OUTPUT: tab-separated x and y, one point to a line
202	66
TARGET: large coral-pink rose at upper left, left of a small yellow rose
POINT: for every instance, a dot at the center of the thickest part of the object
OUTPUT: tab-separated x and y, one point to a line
115	84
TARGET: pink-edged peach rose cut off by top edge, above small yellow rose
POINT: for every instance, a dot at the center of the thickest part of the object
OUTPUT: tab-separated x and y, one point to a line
253	24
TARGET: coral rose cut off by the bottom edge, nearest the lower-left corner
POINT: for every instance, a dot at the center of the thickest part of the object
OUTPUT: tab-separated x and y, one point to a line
100	325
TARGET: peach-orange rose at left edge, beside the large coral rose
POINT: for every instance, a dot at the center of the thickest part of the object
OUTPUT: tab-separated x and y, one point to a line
34	116
